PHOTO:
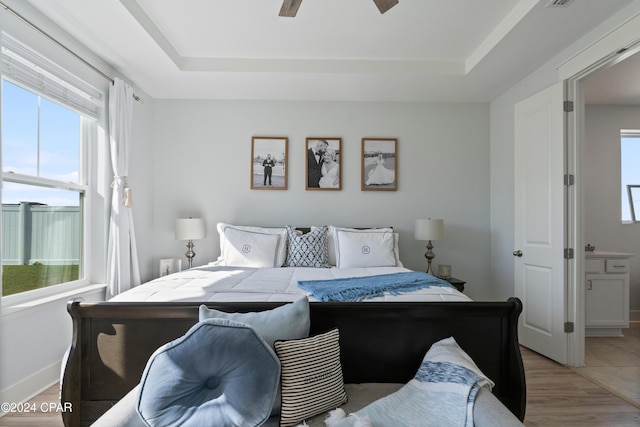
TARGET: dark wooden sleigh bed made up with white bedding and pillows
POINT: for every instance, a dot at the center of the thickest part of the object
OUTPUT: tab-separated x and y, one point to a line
382	340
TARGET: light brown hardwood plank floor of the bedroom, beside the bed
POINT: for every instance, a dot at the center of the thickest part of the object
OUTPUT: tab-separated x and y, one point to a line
556	397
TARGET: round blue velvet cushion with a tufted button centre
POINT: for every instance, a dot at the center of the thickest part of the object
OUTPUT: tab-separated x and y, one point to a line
220	373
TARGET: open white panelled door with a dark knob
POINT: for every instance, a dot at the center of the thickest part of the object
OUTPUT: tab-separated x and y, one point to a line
539	222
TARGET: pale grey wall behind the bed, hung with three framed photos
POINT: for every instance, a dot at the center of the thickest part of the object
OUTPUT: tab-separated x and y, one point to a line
202	153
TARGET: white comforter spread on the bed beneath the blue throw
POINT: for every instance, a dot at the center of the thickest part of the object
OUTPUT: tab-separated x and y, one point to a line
216	283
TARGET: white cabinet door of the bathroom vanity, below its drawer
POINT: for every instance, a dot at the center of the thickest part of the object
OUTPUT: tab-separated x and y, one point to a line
607	300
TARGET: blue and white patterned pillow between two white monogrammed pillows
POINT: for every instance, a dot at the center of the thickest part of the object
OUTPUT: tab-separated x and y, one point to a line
308	250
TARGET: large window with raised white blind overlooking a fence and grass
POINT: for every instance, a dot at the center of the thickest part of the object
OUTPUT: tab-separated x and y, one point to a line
47	115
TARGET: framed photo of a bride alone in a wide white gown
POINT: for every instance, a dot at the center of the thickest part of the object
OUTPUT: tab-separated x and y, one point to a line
379	159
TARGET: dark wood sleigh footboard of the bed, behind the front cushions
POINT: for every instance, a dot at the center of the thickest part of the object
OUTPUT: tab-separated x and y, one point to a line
380	342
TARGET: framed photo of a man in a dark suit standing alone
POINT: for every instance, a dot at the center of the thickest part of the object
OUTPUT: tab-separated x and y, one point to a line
269	162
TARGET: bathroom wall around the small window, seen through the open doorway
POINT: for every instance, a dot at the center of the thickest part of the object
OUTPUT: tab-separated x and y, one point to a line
601	155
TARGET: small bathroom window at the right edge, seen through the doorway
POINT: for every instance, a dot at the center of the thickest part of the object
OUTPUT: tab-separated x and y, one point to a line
630	175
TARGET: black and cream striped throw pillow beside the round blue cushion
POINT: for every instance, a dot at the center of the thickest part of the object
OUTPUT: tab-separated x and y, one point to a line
311	377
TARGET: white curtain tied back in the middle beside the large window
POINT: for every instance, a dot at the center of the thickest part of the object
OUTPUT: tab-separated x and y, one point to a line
122	258
